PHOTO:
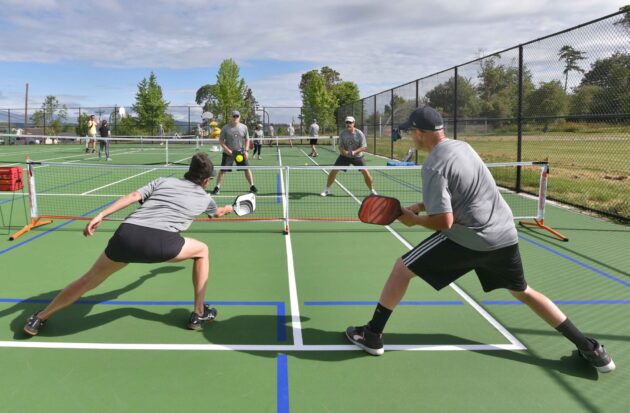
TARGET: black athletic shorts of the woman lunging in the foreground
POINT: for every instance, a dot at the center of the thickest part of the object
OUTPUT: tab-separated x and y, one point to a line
134	243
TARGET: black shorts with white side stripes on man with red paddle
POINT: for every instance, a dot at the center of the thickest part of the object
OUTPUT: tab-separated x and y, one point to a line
440	261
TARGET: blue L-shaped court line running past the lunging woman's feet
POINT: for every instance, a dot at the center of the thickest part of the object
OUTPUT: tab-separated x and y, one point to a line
280	307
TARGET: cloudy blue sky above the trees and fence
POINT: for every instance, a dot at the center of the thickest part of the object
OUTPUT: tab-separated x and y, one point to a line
91	53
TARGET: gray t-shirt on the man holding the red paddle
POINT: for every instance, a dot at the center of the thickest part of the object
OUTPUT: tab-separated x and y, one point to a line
455	179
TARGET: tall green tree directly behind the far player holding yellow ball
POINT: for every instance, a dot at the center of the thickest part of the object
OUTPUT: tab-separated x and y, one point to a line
229	93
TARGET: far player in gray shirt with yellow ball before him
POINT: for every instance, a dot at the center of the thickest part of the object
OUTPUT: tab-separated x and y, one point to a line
234	140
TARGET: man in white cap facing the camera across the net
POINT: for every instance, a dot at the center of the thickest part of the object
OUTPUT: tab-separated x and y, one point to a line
352	143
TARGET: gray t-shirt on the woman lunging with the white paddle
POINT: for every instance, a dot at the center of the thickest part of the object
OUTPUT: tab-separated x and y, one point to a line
170	204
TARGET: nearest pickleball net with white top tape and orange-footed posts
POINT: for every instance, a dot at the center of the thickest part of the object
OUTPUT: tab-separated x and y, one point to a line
63	191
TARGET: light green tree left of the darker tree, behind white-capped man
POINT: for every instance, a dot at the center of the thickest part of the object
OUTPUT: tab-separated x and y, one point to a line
317	101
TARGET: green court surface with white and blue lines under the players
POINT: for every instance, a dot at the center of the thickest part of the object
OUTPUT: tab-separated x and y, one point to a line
284	302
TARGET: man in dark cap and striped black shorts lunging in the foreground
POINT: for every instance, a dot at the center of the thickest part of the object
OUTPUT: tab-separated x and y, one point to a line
474	231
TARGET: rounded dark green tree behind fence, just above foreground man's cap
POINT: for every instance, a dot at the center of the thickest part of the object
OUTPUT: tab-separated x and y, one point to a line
442	97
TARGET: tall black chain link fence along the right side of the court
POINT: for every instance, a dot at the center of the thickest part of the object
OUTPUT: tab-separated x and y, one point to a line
563	98
